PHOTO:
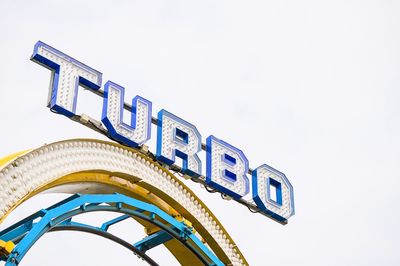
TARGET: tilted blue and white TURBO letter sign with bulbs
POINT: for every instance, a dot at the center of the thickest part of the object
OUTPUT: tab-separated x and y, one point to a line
227	167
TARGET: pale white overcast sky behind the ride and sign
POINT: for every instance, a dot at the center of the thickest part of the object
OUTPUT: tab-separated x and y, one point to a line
308	87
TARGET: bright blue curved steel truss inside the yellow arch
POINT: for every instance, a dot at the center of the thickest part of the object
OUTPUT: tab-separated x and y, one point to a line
58	217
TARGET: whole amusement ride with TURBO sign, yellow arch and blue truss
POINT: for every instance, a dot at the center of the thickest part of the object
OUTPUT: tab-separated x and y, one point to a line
124	177
